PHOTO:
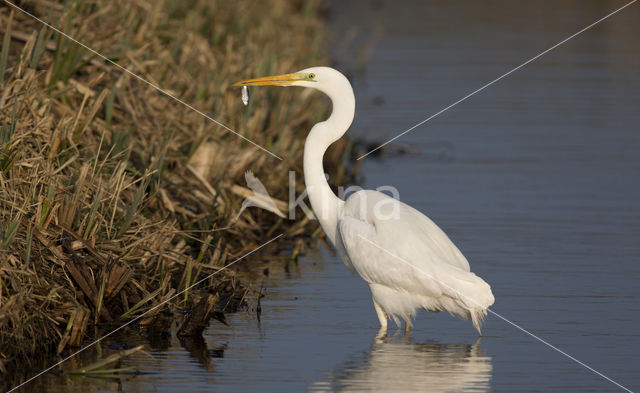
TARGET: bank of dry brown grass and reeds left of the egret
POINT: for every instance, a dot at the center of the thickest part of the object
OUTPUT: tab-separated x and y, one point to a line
113	196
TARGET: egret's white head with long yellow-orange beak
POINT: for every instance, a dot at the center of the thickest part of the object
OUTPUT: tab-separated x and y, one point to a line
314	77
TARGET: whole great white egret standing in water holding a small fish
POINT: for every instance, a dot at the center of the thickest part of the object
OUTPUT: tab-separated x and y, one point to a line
407	260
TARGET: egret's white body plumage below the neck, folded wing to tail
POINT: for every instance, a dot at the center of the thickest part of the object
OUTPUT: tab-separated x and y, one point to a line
408	261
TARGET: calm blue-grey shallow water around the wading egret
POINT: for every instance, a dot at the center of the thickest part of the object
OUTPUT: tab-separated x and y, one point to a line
535	179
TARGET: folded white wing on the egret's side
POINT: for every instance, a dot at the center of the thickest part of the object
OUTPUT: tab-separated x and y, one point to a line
407	252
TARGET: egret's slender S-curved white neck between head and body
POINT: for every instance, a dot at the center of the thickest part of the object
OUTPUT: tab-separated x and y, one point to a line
326	205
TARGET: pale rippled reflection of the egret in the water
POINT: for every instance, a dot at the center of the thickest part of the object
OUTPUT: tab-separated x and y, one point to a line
397	364
